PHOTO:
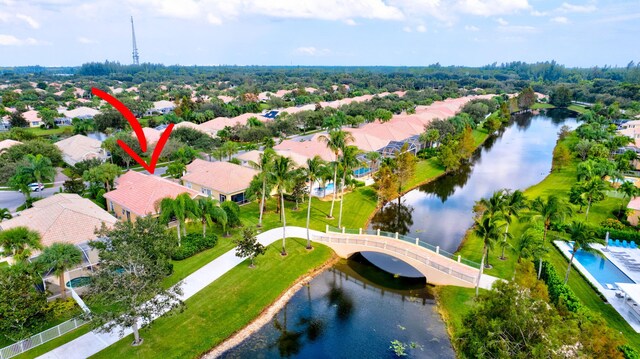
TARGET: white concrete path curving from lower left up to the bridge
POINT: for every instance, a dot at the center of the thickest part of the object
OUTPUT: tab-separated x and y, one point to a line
92	342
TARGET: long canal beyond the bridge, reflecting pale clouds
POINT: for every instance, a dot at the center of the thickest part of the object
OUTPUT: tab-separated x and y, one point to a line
516	158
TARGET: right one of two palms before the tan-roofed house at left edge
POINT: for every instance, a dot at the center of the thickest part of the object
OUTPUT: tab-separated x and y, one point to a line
60	257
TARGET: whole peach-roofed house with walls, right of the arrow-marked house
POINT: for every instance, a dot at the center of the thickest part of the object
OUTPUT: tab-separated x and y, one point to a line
222	181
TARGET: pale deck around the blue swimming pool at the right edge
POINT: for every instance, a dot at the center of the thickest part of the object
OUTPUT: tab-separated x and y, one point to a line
610	294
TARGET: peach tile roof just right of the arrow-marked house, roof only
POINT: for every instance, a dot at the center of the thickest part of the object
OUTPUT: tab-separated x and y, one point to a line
223	177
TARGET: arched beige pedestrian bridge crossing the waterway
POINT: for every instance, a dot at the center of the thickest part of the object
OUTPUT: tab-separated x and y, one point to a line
438	266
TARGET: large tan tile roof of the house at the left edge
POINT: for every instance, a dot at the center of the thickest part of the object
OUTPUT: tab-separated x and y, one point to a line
62	218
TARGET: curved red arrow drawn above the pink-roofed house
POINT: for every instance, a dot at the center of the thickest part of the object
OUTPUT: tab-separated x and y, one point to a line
137	129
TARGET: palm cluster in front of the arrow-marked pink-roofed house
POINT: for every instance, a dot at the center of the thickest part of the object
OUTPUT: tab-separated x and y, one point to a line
183	207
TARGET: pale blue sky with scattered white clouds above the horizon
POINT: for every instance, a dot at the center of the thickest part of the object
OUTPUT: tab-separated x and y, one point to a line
320	32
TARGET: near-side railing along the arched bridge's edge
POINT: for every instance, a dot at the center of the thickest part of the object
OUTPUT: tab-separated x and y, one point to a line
367	242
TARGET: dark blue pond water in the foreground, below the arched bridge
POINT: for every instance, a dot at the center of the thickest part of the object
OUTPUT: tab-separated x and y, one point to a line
342	314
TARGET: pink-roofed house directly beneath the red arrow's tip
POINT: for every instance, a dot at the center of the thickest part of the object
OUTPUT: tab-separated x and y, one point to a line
137	195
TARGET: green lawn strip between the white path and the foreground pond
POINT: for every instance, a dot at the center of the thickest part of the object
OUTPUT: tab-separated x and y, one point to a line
224	307
